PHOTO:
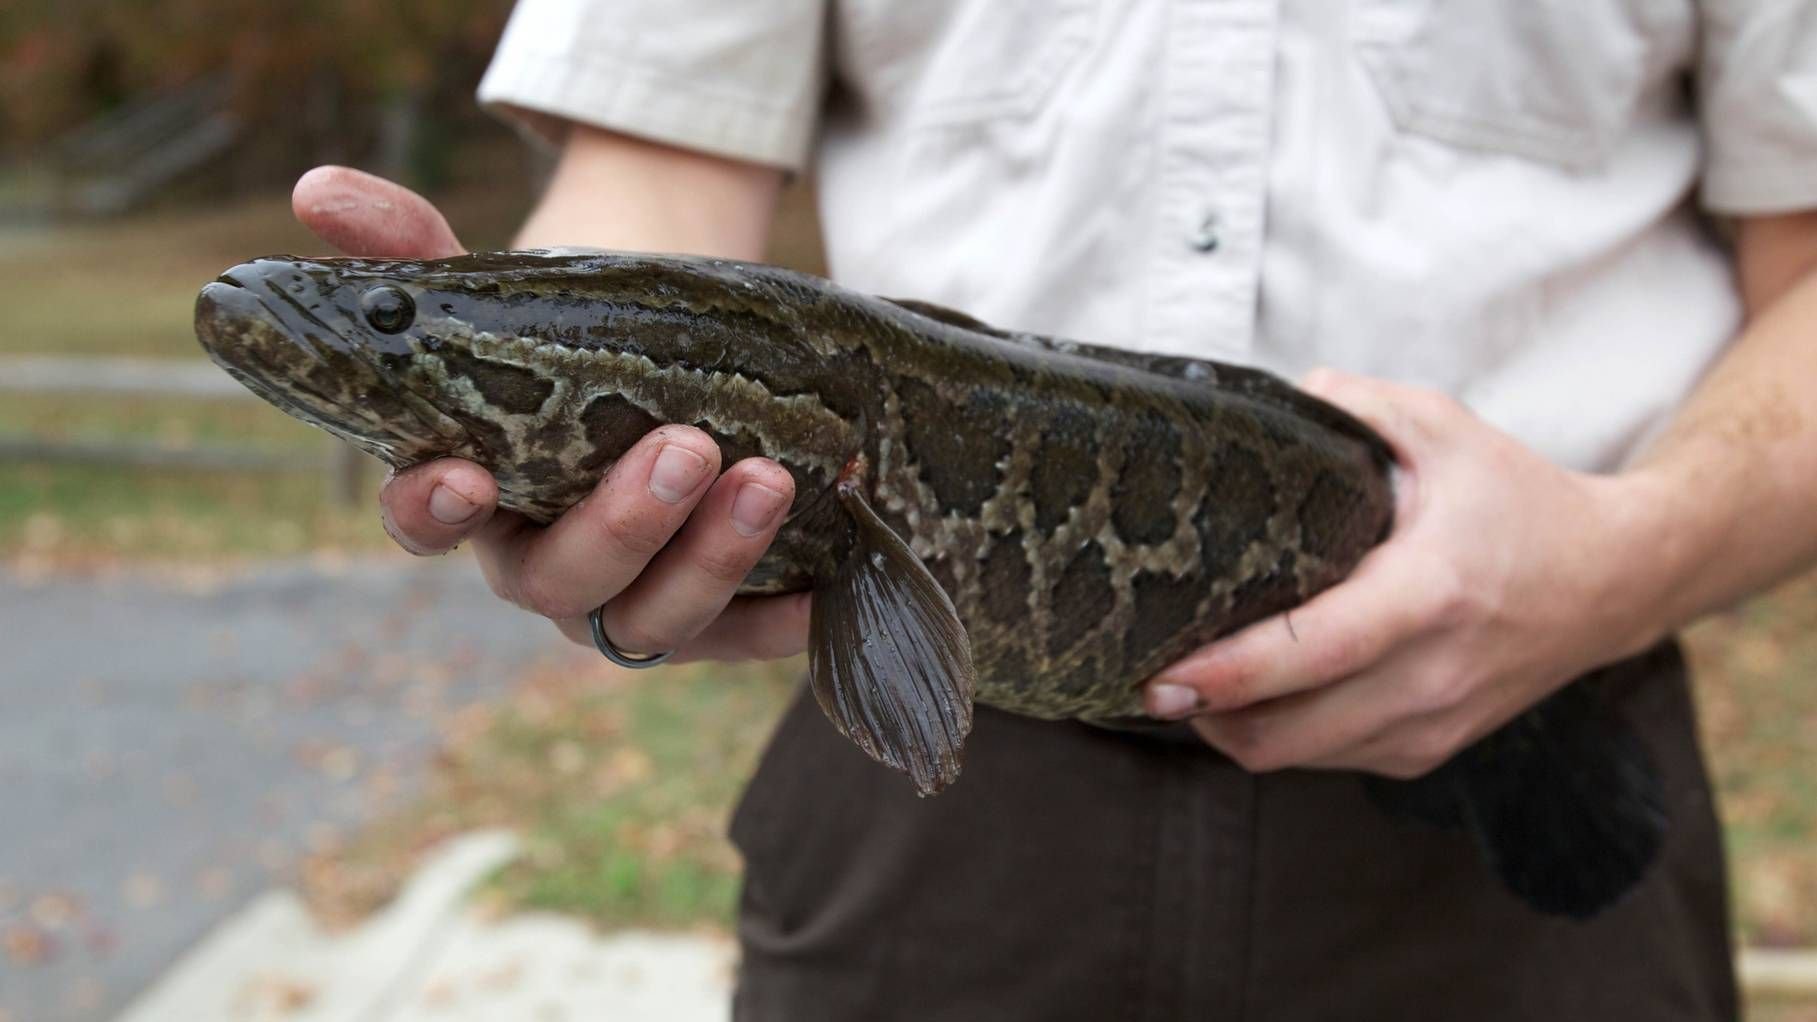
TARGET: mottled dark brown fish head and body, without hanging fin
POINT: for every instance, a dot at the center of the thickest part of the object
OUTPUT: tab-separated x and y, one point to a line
1093	514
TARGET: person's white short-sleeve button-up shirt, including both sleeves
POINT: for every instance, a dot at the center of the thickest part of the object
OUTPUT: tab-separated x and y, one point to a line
1496	199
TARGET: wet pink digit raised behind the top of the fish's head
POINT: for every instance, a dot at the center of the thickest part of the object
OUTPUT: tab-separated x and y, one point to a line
370	217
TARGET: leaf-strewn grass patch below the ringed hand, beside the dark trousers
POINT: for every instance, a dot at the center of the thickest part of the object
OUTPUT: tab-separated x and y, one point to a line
621	781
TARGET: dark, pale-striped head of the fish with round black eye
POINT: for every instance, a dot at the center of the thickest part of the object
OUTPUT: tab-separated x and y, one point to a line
535	365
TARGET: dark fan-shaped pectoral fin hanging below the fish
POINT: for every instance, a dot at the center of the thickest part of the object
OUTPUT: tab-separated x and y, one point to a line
888	657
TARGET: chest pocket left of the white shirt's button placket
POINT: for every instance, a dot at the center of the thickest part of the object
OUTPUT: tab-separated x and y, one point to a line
957	63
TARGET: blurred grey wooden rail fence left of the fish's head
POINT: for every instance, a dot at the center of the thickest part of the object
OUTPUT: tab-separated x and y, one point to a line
341	466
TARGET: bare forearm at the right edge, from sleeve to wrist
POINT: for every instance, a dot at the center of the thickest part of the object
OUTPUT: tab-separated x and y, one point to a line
1727	496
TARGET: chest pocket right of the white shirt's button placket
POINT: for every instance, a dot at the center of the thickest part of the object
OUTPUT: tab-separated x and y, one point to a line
1554	81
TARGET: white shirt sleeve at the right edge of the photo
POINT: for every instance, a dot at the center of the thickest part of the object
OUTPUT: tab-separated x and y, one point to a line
1758	99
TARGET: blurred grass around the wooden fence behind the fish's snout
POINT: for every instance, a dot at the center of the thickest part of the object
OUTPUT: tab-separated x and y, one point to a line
128	288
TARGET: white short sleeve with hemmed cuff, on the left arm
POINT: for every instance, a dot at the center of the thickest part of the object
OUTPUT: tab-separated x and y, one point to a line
739	79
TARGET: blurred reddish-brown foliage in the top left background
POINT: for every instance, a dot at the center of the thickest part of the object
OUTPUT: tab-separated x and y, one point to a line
313	75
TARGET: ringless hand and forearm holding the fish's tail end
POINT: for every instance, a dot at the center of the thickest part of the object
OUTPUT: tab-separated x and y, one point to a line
1507	577
